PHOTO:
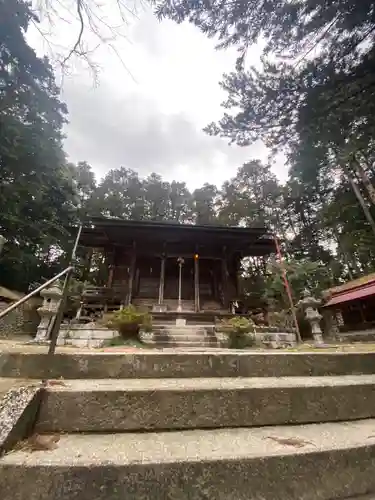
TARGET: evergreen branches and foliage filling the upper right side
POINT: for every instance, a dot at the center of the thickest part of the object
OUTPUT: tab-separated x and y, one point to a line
312	95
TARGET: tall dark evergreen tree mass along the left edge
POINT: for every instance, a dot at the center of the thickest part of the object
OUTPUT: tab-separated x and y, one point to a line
36	194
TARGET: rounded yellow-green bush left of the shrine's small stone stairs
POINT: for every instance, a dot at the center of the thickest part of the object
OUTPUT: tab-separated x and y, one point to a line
128	321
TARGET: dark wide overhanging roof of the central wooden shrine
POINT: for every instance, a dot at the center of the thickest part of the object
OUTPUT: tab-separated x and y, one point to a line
105	232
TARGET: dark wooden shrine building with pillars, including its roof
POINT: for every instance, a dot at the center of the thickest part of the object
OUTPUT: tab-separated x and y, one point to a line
169	267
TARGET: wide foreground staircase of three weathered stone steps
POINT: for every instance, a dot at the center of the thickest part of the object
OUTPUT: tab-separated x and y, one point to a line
198	426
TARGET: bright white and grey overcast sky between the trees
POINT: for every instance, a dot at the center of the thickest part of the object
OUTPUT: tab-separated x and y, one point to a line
157	88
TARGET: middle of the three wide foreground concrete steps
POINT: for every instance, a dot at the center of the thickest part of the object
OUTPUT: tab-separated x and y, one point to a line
154	404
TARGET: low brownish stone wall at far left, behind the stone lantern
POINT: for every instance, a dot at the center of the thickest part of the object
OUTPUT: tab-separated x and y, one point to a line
22	320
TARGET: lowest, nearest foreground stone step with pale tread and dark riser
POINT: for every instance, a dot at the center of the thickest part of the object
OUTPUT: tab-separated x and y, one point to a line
309	462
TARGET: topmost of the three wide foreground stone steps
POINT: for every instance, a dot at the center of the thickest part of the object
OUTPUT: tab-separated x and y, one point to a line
182	364
